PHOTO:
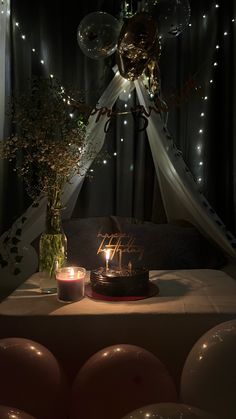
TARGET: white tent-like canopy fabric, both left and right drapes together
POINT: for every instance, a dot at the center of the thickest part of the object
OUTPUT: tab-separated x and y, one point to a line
180	193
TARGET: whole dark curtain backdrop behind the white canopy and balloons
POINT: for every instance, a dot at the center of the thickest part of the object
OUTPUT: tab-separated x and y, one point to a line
126	185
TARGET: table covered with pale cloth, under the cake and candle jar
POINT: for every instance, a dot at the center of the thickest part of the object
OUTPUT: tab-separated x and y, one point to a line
190	303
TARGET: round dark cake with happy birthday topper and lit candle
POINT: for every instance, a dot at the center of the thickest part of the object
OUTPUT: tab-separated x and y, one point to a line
119	280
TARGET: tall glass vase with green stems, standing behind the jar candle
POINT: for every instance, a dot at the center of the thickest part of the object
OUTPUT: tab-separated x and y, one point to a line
52	250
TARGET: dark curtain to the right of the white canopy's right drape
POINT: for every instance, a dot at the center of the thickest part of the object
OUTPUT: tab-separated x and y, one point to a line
210	154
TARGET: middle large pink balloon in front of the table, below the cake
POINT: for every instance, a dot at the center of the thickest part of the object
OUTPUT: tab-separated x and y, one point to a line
117	380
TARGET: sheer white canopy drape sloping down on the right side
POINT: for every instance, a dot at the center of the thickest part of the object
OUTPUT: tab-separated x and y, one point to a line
180	194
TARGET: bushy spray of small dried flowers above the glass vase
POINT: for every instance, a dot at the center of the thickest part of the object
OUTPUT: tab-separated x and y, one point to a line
49	141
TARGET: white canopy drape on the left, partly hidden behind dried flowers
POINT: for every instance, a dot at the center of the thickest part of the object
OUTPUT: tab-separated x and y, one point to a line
34	217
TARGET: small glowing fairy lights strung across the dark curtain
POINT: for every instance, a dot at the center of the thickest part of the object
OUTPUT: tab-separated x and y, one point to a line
126	94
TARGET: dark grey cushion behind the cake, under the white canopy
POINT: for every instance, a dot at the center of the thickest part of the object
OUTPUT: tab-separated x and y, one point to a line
166	246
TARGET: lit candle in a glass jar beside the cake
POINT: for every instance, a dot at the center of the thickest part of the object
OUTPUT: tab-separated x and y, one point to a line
70	283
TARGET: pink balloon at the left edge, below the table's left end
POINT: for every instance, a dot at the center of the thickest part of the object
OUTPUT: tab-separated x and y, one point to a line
31	379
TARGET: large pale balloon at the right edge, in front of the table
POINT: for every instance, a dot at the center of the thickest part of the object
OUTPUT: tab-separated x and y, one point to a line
208	379
